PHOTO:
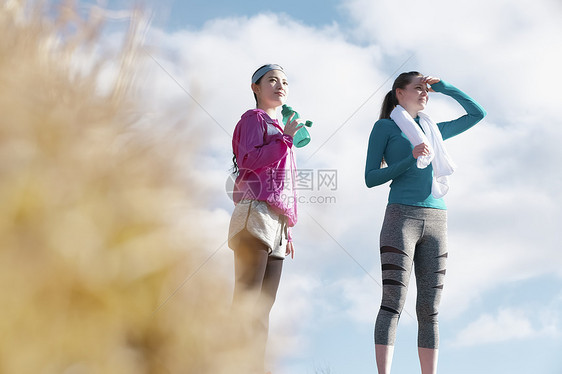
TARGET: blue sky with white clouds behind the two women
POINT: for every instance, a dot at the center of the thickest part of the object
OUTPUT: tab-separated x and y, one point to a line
502	303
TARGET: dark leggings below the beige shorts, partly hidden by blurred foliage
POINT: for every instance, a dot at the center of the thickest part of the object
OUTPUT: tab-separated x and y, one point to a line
257	277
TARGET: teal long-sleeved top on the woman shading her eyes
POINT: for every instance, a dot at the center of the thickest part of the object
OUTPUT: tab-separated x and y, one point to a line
411	185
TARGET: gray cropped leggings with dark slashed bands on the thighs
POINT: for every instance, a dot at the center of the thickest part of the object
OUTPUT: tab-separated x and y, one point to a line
412	237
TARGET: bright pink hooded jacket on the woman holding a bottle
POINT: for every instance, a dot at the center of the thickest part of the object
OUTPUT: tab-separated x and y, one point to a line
266	162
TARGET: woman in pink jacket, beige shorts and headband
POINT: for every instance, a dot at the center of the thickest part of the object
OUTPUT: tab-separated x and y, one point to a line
265	199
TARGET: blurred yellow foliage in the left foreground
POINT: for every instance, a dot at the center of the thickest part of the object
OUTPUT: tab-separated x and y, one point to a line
89	256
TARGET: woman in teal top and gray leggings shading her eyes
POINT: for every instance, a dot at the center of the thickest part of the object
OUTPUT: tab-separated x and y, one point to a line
414	231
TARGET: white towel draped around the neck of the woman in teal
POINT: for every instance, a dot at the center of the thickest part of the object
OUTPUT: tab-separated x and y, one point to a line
442	164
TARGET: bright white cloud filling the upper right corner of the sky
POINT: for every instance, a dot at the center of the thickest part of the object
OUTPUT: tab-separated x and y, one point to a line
506	51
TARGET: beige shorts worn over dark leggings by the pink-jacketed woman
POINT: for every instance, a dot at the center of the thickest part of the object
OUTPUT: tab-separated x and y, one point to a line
260	221
